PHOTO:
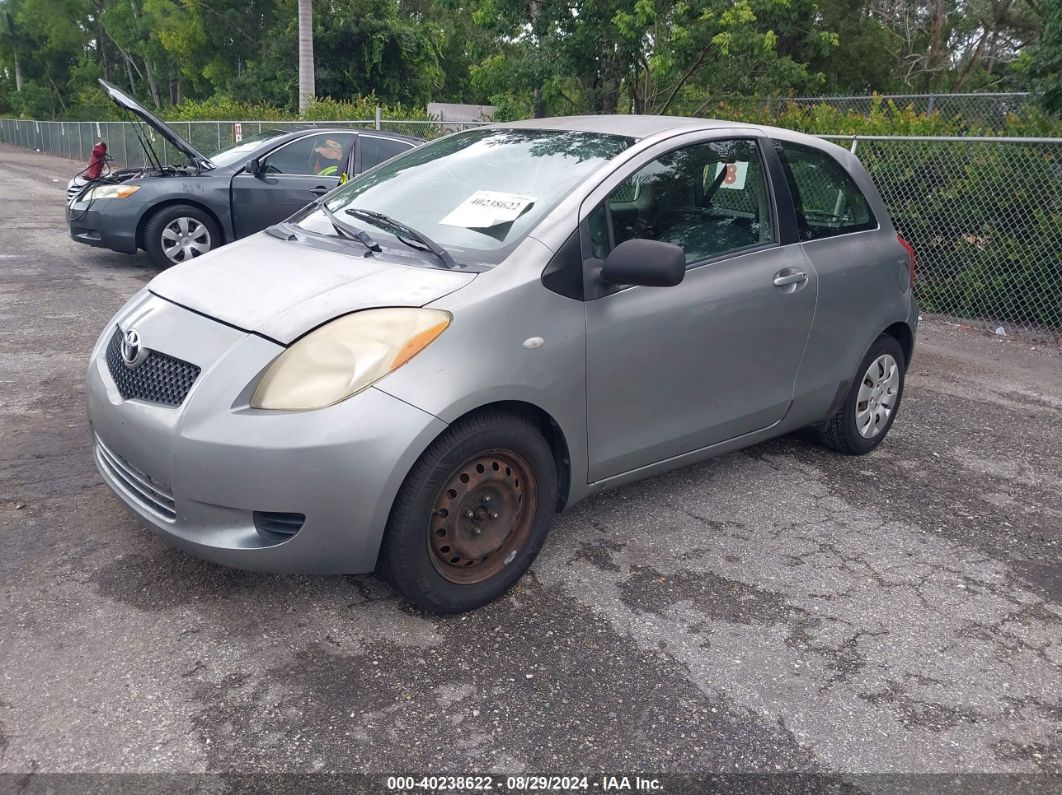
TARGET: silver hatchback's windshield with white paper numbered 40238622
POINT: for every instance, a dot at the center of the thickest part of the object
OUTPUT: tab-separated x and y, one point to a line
477	194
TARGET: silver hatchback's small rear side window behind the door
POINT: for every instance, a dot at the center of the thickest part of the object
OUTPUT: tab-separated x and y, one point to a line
827	199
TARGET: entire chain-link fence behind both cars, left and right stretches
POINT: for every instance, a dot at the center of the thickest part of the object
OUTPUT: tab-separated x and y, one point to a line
984	215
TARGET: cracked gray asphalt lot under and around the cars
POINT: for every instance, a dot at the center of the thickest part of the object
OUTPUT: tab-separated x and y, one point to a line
781	609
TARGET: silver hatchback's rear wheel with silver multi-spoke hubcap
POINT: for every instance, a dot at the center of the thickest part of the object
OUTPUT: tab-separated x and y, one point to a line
870	408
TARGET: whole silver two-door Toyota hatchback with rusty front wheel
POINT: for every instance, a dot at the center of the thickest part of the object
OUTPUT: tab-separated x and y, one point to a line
420	370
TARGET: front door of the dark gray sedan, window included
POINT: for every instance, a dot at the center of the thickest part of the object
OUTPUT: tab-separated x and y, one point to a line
290	178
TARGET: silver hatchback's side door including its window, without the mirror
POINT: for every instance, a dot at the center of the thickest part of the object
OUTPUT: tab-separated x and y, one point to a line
675	370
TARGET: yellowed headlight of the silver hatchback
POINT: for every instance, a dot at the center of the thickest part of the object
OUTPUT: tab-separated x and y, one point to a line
346	356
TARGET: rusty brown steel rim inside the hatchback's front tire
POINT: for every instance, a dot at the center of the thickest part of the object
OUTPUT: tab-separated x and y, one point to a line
483	517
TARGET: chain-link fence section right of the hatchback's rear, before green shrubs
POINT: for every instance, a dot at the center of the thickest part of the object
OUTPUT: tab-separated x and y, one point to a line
985	216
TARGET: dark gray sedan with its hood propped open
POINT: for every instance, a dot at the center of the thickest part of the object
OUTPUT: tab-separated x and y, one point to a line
178	213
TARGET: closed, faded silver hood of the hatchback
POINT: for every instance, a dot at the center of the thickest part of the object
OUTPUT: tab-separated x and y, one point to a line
282	290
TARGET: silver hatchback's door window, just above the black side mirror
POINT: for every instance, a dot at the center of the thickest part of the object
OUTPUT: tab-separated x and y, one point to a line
711	199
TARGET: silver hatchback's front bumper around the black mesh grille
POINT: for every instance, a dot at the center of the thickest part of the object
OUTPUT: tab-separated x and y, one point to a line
197	474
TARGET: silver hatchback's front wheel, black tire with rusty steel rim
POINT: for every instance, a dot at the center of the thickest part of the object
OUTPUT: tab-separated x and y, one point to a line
410	556
